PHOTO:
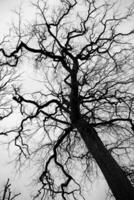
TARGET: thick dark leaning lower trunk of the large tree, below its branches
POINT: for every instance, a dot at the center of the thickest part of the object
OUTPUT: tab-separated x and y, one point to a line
114	175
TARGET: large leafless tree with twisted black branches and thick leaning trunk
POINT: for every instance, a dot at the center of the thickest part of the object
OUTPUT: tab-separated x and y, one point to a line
85	112
